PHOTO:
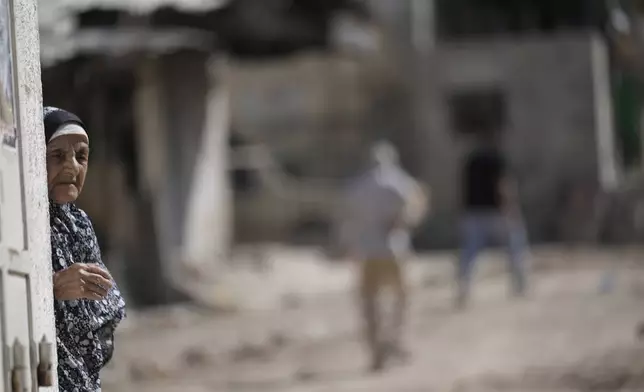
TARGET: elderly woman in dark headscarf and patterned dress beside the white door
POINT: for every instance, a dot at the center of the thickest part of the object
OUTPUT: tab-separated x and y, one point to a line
88	306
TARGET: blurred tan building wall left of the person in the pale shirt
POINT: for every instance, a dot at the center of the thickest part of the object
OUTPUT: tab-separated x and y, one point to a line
309	112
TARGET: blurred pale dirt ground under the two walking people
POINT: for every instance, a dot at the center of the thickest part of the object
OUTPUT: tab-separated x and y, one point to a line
575	332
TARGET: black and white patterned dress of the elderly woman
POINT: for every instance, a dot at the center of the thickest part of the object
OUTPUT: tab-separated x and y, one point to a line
84	328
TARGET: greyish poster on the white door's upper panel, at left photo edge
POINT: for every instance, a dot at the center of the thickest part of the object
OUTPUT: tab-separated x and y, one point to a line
8	131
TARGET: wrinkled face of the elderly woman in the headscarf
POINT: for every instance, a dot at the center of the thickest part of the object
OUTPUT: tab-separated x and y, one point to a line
67	158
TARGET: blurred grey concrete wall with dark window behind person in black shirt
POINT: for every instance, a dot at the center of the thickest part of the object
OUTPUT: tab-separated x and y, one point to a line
551	134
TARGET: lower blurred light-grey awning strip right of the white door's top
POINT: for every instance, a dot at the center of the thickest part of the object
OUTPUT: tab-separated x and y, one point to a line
110	42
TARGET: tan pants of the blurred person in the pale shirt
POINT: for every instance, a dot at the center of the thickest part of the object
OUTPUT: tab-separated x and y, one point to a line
376	276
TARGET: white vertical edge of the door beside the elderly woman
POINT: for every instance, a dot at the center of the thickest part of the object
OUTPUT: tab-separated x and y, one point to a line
33	160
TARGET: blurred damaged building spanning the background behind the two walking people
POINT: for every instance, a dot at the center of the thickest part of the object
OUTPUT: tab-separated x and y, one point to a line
542	72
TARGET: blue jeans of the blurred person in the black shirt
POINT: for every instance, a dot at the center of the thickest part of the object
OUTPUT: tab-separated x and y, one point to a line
482	229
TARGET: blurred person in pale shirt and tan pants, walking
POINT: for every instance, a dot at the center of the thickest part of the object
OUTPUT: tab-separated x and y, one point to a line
379	211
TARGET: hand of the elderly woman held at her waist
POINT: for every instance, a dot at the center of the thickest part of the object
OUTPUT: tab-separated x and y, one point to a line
82	281
